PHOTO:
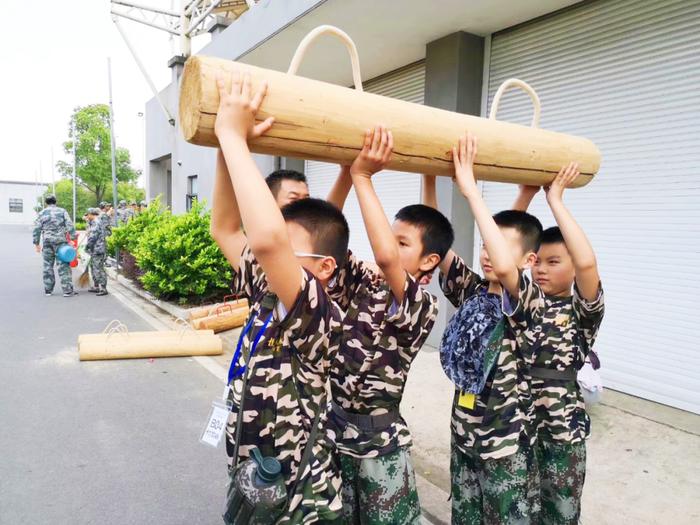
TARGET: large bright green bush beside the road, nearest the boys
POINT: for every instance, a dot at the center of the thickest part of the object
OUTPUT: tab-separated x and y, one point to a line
179	258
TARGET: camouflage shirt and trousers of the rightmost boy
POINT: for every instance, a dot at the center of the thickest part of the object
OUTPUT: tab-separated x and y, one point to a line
561	336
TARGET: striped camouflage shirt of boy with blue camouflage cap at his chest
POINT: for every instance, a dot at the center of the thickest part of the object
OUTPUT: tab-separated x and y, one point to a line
499	423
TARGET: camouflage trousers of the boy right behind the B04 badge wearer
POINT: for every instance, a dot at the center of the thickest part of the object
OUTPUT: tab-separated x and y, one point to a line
381	490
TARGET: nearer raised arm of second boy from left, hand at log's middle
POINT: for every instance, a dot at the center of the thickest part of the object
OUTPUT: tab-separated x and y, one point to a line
375	154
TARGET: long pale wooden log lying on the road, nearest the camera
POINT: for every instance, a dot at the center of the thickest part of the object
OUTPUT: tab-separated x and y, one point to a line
139	345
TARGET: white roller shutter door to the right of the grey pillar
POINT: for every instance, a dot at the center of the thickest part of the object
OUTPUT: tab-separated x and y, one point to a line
625	73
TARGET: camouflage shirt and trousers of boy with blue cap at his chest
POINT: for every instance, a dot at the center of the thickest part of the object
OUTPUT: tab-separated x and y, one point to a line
493	468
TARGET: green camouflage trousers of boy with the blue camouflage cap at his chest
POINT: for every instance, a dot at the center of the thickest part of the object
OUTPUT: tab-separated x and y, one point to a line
500	491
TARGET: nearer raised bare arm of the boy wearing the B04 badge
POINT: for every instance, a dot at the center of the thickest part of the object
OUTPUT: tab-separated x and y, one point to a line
265	227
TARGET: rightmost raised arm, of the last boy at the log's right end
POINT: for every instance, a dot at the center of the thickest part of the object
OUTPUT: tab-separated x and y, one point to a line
582	254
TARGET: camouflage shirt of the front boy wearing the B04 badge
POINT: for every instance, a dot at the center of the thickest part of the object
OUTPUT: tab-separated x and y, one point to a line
292	359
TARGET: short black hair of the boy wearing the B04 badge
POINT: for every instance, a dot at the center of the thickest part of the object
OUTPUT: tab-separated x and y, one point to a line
325	223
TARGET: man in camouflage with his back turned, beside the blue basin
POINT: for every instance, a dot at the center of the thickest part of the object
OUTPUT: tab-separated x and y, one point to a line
54	223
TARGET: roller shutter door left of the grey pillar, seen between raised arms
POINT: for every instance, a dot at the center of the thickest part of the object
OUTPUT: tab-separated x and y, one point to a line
395	189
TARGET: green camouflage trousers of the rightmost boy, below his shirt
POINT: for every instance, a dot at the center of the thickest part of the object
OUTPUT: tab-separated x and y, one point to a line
562	473
